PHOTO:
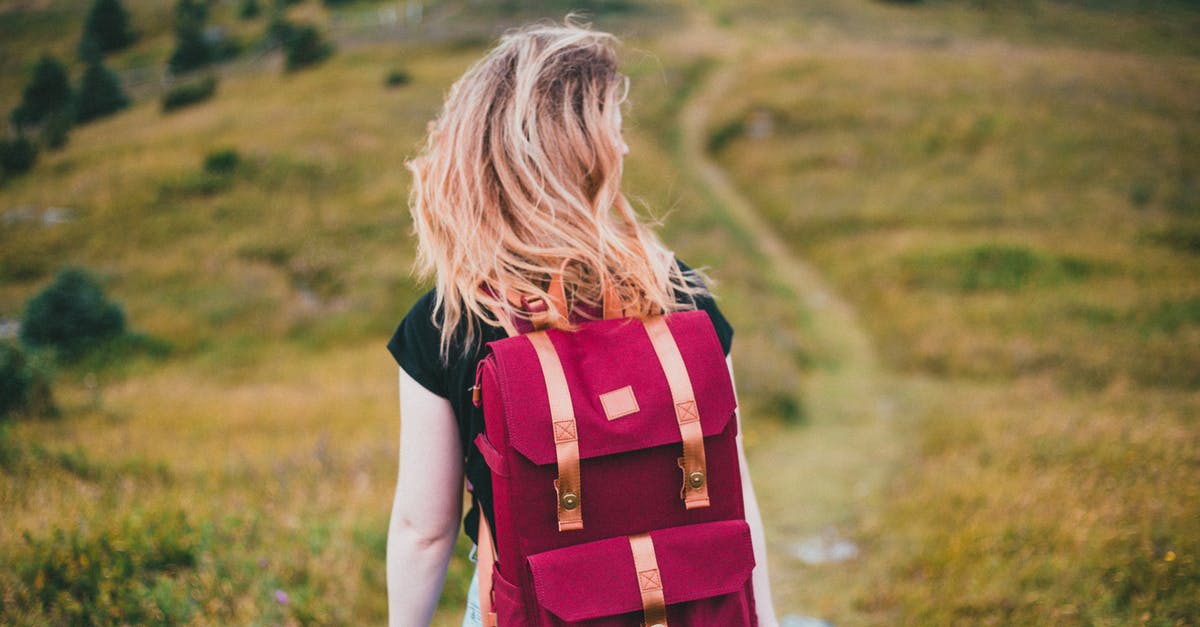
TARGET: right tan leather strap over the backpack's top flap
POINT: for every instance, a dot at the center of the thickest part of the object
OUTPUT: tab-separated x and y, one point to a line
695	471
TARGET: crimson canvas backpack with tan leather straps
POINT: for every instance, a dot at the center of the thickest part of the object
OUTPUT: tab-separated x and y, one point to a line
615	474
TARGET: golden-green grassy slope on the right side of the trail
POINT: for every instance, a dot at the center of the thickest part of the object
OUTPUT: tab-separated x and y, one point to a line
1017	222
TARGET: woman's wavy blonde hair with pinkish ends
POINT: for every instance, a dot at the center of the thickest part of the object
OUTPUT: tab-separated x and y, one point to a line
520	178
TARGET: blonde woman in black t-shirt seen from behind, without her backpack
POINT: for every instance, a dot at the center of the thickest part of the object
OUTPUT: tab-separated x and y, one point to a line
520	180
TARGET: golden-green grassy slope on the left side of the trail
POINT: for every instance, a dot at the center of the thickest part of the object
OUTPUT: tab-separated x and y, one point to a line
248	475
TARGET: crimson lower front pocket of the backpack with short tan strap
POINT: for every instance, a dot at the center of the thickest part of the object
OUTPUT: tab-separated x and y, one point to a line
700	572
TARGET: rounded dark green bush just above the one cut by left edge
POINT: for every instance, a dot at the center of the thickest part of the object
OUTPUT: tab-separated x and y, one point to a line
73	317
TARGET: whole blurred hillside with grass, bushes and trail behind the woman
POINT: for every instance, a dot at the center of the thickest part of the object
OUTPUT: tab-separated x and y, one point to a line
959	242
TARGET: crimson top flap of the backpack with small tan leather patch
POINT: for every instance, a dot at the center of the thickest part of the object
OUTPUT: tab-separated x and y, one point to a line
620	392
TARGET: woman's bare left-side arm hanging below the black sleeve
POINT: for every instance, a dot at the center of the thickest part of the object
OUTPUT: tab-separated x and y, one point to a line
428	505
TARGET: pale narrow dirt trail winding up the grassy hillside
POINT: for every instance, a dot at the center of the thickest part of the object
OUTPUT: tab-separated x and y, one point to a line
821	480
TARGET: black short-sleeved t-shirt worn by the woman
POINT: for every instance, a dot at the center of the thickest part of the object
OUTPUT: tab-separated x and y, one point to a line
417	349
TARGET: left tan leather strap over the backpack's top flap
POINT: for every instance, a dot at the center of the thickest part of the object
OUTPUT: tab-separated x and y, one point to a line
567	444
